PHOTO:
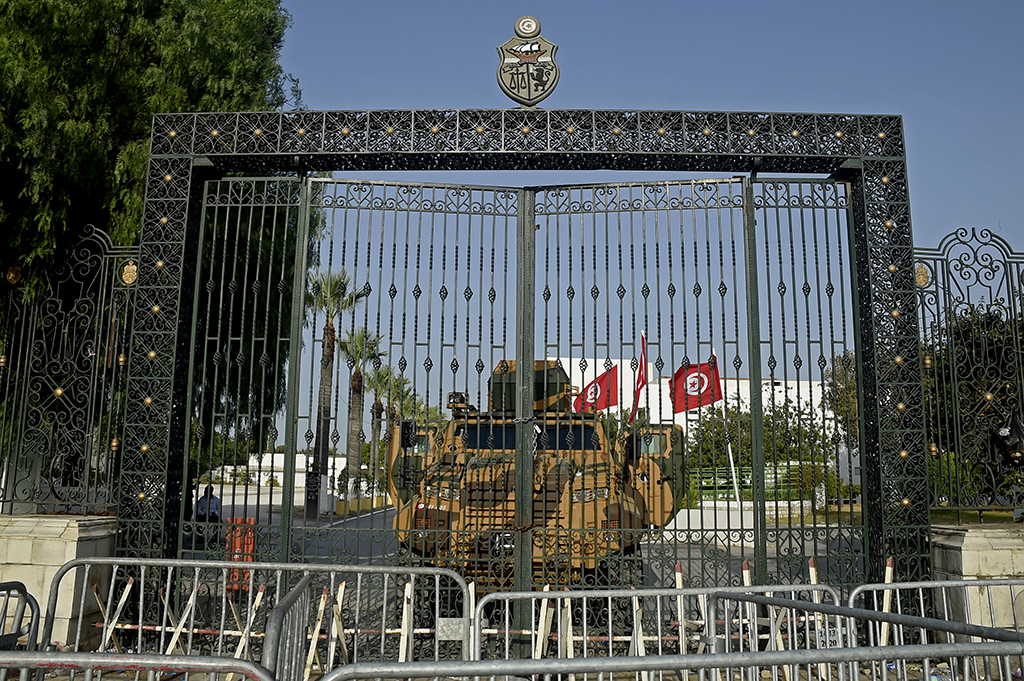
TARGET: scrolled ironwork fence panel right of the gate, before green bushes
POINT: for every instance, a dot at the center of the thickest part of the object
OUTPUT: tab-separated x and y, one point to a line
971	308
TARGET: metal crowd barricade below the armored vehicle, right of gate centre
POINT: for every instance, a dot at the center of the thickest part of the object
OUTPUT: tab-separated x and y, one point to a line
608	623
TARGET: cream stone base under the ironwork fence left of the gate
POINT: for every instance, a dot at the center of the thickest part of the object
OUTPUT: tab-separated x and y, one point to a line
34	547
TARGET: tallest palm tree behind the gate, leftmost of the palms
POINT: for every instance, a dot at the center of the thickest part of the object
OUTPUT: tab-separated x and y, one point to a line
330	293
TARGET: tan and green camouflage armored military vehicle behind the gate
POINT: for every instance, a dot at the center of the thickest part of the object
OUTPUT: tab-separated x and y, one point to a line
594	495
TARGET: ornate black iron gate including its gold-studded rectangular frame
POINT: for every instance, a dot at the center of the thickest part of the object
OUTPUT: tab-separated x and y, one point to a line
866	152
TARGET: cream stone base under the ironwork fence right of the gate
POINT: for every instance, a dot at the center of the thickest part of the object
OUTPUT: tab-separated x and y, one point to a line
979	552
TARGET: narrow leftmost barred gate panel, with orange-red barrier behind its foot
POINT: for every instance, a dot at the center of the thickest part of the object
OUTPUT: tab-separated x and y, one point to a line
250	243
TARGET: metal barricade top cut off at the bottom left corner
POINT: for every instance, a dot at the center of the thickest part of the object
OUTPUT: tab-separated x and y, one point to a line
89	665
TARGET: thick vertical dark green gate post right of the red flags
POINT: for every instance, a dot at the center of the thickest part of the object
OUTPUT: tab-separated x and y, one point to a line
754	369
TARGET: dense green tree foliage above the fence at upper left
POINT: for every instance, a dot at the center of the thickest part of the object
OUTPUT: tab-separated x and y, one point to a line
80	81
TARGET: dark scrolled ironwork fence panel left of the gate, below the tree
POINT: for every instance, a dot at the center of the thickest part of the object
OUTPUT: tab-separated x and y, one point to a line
63	382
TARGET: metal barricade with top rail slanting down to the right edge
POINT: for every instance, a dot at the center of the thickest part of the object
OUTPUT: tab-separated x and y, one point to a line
803	627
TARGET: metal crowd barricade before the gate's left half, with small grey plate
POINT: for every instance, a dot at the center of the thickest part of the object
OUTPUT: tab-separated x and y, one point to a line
349	614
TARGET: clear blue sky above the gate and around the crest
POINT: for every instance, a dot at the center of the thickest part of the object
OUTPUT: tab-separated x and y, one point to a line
953	70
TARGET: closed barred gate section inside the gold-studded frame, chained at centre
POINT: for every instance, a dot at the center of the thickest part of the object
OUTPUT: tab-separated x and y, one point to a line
331	315
